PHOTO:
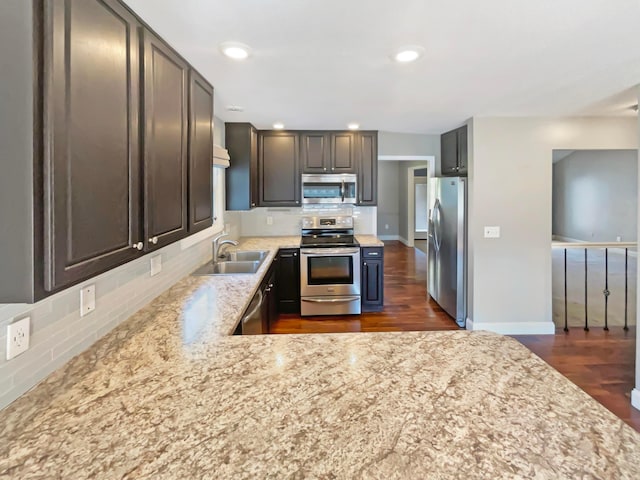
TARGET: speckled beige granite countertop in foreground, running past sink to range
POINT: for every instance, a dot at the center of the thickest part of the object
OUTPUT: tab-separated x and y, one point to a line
169	394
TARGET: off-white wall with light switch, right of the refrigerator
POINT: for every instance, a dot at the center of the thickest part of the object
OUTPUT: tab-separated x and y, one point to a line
511	184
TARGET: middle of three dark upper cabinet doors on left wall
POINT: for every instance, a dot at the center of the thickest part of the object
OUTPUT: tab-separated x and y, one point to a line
165	145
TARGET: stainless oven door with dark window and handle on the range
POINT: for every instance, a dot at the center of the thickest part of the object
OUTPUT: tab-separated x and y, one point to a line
329	271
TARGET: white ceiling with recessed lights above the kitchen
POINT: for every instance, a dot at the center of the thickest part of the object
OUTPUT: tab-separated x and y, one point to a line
324	63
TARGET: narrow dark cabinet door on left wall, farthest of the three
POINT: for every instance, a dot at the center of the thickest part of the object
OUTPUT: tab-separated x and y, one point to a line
200	153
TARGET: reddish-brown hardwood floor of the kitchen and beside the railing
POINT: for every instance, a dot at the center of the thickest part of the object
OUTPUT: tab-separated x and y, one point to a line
601	363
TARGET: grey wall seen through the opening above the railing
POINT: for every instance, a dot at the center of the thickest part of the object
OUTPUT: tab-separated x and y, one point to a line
595	195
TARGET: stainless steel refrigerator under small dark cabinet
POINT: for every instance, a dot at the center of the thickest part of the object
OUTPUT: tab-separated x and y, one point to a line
447	252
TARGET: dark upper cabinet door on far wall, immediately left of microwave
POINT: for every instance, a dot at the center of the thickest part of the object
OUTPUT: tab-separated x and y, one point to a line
279	178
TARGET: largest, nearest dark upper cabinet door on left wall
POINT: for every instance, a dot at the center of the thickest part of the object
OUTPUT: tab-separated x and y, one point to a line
91	148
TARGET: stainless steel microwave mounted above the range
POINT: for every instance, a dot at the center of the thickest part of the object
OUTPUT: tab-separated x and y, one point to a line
329	188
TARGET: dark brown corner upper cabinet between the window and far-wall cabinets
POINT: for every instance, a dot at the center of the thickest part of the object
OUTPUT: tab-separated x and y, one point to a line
241	178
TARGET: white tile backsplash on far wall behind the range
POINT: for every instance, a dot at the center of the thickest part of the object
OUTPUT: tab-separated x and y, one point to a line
286	221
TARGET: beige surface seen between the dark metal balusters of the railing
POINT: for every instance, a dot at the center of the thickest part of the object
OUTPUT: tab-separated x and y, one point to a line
596	286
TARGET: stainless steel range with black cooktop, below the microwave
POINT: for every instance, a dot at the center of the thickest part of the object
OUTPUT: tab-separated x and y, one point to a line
329	266
